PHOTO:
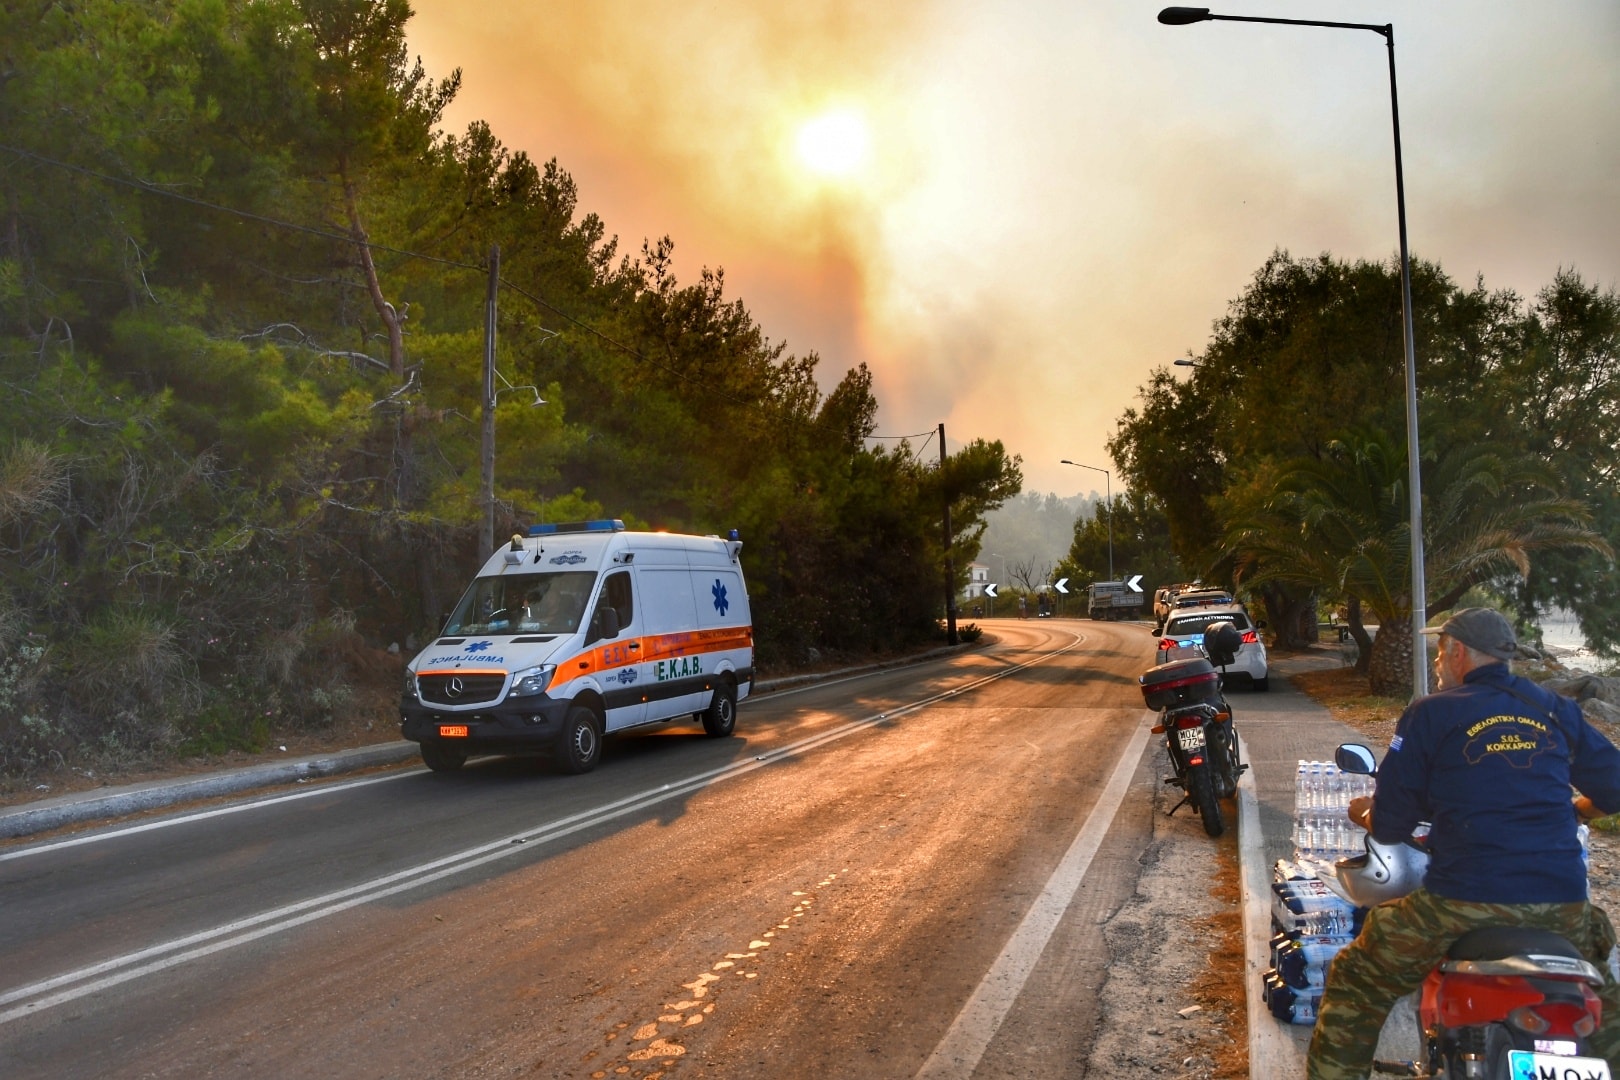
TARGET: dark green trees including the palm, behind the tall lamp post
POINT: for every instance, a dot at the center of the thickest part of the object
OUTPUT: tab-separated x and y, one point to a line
1282	464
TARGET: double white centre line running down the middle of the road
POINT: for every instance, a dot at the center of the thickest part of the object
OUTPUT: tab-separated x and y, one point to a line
98	977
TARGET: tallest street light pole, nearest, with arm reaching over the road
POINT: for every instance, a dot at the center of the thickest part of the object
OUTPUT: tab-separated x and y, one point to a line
1183	17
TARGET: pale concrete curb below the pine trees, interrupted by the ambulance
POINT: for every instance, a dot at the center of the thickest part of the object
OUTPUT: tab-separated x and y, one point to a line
117	802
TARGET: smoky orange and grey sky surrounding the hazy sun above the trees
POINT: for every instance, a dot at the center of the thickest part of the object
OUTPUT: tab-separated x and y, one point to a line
1055	197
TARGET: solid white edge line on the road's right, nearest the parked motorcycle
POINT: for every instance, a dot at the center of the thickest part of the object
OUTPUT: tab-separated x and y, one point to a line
965	1044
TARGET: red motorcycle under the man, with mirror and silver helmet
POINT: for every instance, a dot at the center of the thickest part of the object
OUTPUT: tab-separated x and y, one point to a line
1507	1003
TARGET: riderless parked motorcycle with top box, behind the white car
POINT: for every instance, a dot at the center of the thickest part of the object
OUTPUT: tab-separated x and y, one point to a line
1196	725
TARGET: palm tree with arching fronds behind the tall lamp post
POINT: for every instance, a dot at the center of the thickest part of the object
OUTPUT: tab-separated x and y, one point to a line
1341	524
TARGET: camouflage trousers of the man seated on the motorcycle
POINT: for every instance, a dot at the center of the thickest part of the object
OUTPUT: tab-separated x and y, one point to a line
1404	940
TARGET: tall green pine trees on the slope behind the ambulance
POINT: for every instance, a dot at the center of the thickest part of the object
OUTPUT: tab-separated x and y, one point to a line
242	302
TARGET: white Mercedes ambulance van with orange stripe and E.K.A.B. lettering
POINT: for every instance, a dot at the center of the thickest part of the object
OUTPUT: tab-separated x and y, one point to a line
579	631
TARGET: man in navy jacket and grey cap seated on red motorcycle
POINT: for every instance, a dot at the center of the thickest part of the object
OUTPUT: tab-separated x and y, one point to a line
1490	760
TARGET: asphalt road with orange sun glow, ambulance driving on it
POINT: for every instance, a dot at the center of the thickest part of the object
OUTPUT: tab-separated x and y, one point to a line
892	875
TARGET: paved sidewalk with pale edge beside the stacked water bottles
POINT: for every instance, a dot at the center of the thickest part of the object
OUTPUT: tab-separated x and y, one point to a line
1279	729
